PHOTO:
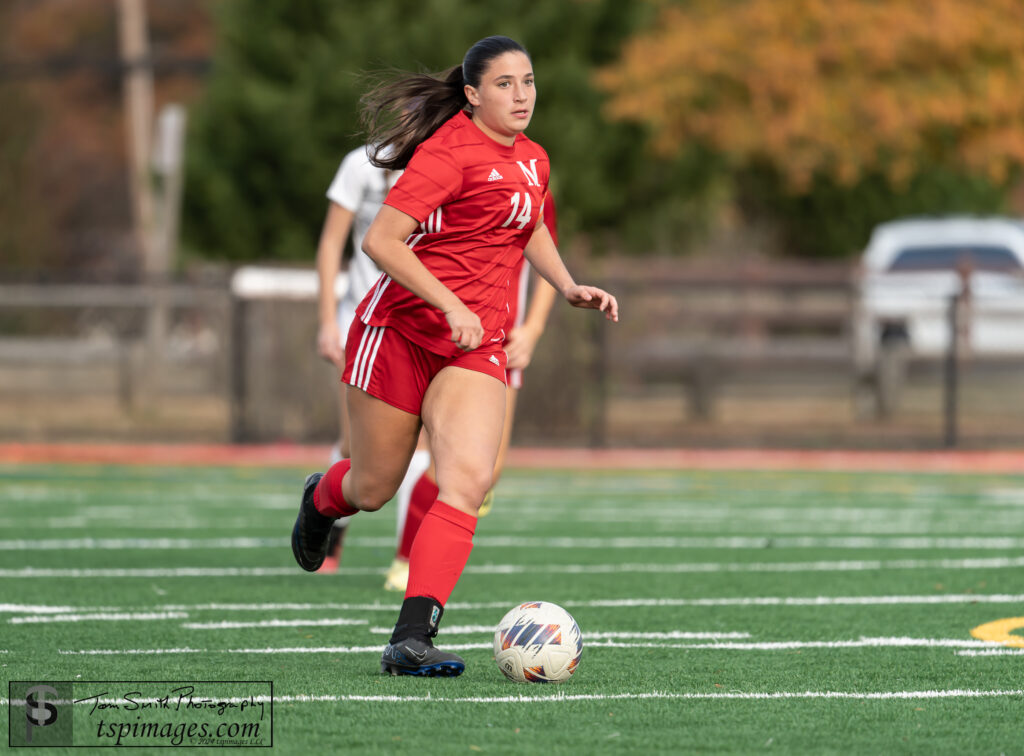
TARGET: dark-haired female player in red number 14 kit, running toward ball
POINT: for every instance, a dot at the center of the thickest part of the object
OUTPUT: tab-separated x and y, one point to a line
426	349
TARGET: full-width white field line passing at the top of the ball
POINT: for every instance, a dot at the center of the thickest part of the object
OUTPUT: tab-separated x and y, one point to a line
898	601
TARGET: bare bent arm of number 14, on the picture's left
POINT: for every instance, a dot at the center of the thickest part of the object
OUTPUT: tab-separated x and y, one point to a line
386	244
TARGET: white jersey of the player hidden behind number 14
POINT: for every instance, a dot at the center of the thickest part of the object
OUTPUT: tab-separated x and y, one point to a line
361	188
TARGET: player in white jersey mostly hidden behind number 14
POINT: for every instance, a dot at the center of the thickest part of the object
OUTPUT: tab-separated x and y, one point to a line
356	196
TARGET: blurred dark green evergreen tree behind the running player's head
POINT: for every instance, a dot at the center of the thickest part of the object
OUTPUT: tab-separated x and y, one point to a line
282	110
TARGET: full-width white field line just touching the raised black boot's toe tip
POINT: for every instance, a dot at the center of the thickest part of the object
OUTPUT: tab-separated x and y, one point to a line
677	568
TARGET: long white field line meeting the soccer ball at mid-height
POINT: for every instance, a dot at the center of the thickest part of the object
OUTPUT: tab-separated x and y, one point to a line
767	646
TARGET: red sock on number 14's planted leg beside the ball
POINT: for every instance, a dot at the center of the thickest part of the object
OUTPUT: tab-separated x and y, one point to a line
441	553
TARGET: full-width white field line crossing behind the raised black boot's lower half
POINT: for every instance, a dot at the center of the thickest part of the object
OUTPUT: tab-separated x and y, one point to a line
726	542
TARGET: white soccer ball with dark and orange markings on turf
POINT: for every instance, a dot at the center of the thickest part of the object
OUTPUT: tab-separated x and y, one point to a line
538	642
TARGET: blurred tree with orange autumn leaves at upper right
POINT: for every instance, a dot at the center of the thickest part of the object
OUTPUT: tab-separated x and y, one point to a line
839	90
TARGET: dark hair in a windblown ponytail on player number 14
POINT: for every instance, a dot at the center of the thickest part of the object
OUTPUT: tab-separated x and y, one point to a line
403	110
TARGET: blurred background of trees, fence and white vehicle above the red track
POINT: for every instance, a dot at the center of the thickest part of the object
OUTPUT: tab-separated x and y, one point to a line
719	166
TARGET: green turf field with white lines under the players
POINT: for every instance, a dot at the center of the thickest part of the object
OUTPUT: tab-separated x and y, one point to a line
722	612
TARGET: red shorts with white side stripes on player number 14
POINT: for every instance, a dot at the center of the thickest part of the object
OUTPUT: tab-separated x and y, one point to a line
387	365
